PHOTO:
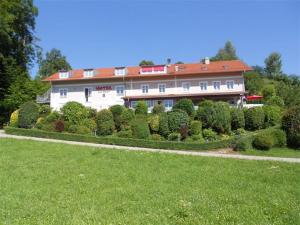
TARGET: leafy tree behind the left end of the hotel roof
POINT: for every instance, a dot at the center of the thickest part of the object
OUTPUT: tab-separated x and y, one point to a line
53	62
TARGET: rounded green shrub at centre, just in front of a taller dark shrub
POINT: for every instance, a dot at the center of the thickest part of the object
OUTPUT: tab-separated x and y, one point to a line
176	119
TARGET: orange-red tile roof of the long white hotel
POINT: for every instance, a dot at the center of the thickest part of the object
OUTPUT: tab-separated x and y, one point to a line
173	69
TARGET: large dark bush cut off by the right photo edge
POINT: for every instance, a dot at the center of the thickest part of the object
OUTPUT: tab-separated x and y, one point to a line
291	126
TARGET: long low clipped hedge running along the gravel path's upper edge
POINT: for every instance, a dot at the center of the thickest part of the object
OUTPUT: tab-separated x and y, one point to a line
121	141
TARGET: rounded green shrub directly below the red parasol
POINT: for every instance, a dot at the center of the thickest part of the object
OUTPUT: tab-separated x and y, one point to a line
254	118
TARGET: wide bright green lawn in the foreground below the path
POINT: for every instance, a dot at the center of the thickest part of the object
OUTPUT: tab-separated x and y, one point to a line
47	183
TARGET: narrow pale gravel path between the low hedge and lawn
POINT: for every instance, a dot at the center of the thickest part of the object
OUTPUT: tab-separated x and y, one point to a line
207	154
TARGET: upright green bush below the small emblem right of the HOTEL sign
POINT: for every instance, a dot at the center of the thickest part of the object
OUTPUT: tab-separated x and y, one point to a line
105	122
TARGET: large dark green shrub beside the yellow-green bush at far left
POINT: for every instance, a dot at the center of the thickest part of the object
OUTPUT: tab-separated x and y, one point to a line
28	114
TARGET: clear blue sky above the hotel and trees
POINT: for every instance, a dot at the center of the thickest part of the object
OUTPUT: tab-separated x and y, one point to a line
99	33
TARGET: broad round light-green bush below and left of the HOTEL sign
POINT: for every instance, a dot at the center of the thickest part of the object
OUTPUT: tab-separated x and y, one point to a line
74	112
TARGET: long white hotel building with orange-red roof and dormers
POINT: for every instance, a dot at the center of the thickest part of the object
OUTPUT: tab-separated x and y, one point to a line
103	87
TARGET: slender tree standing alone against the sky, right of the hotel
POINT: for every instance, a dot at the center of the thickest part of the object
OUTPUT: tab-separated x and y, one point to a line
273	65
